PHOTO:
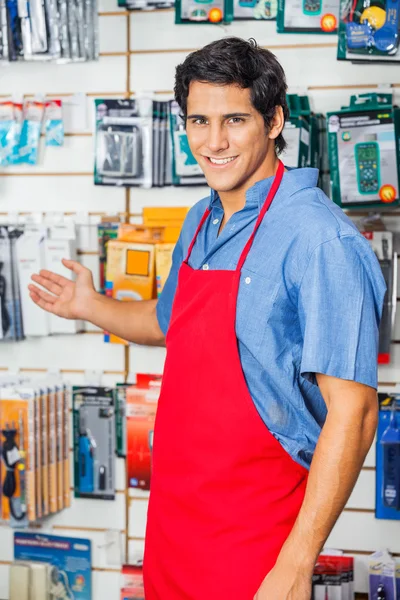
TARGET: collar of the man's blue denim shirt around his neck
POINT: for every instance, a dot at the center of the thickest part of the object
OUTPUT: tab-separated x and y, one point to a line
293	180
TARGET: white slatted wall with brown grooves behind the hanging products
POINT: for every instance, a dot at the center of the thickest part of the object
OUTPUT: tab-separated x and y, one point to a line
139	52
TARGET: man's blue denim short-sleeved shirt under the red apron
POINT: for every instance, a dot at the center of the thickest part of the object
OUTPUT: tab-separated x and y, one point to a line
310	300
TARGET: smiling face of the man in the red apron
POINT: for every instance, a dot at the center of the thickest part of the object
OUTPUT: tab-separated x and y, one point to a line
227	135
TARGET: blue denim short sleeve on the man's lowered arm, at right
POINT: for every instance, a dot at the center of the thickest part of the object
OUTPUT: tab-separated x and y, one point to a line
340	306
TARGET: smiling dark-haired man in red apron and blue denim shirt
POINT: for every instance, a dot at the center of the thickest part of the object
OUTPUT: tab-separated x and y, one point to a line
270	316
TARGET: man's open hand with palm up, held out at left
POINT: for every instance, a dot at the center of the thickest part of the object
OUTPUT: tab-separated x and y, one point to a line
61	296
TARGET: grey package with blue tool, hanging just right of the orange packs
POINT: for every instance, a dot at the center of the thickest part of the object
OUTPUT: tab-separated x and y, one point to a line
94	442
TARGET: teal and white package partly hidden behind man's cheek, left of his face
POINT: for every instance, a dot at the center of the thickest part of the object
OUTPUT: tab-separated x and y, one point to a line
185	168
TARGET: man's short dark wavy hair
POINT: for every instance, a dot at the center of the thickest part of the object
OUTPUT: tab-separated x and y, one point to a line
233	61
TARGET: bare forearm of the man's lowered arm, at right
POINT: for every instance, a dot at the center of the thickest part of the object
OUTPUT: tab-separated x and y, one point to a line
340	453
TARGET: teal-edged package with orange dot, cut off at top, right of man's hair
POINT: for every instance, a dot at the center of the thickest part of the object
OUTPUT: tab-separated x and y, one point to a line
308	16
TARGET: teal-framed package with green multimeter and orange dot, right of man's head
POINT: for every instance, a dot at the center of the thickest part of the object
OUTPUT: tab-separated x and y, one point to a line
364	152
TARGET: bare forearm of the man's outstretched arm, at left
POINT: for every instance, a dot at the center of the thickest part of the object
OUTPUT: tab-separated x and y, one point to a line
134	321
